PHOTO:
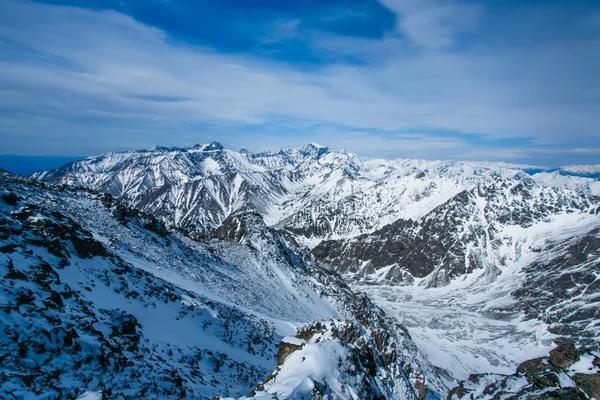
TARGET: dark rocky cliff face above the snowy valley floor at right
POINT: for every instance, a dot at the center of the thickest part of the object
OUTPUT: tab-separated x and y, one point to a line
469	232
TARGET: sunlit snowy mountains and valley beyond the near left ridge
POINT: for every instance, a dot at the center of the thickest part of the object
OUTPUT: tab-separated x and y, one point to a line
486	264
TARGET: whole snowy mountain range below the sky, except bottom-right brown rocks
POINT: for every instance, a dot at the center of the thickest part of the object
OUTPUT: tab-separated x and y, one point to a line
315	272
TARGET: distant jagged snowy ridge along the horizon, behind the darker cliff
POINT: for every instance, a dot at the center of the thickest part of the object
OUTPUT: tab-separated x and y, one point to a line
311	191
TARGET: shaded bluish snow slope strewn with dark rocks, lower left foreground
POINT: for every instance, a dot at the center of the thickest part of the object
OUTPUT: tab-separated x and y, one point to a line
76	317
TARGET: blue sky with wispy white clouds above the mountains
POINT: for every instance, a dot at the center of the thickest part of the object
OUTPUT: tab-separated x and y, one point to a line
513	81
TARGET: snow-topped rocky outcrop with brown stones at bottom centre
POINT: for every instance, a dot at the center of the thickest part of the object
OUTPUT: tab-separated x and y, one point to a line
343	360
